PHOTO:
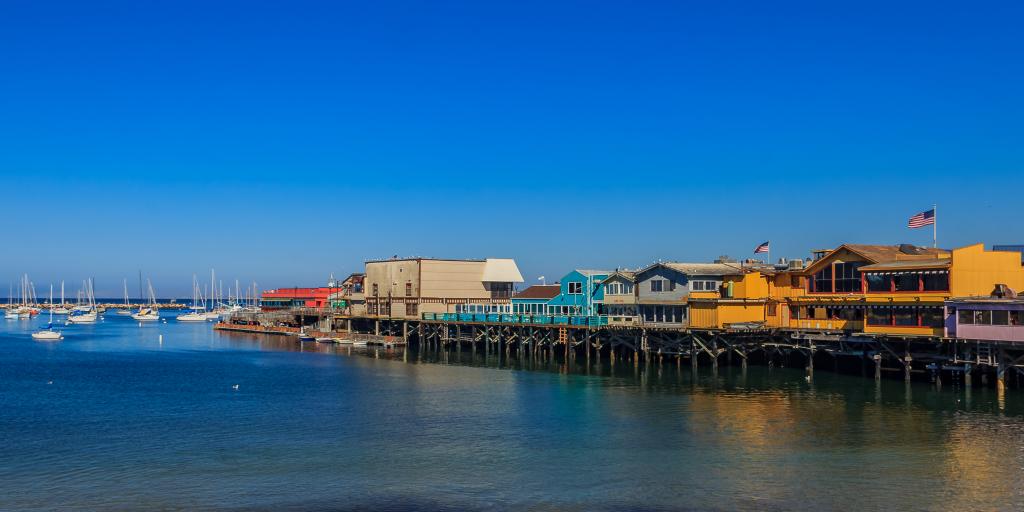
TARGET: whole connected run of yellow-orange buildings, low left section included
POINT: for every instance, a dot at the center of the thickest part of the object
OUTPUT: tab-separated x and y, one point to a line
895	290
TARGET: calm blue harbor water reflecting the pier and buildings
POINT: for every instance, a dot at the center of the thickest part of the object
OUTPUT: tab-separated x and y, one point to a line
113	419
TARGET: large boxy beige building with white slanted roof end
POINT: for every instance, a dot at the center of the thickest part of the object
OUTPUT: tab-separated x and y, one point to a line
409	288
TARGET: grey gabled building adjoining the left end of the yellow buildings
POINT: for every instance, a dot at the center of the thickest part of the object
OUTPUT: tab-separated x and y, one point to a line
663	289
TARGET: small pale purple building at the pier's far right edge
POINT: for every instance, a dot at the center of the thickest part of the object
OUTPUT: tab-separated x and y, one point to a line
996	319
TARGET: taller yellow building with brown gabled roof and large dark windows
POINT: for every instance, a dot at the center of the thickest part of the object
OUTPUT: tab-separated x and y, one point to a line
898	290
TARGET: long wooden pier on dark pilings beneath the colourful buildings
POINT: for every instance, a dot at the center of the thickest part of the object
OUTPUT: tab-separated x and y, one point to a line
940	360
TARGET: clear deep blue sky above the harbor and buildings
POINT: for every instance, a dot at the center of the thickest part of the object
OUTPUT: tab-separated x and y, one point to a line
282	142
